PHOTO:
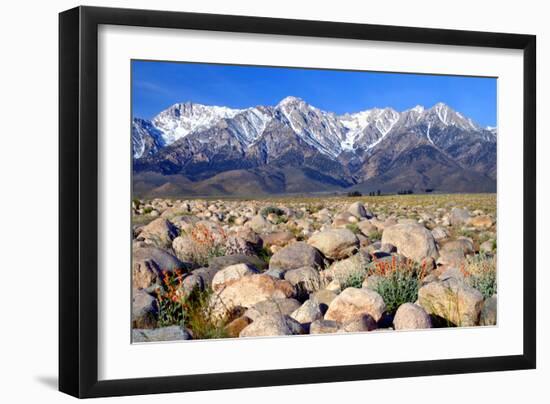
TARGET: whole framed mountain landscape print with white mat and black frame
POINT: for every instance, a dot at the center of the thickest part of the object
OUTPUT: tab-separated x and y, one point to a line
251	201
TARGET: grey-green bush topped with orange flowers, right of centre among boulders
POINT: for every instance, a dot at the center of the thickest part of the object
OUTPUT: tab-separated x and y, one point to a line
399	282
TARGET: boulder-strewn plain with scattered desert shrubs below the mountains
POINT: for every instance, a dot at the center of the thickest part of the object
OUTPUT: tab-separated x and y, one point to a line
234	268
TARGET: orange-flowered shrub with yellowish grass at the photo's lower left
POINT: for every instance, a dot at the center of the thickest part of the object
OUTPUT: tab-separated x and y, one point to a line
191	310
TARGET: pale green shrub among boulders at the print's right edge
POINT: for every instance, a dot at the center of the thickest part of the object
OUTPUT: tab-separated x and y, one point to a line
481	273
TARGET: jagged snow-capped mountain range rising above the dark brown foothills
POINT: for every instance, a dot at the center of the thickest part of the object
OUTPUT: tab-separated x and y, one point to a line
200	142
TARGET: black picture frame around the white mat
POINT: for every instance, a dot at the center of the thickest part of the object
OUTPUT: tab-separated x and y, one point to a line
78	200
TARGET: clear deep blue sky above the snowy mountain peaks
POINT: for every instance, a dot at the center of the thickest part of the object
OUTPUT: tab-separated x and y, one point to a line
158	85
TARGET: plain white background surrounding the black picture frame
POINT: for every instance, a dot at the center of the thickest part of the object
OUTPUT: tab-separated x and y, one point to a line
28	173
